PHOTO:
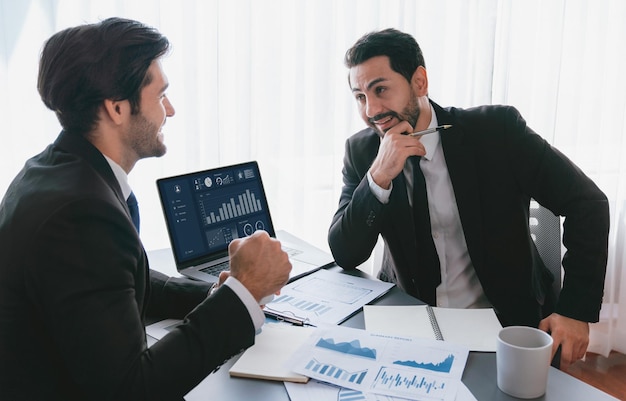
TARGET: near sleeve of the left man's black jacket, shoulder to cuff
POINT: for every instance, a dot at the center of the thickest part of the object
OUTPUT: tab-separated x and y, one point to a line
87	294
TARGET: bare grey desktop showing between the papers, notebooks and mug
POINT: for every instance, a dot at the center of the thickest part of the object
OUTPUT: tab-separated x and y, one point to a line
479	374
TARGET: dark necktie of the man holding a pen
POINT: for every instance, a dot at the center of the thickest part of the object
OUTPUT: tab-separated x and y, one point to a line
428	269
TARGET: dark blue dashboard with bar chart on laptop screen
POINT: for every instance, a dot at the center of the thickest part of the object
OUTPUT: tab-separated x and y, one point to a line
206	210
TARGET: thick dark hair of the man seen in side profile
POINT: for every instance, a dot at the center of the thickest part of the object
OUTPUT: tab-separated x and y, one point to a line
82	66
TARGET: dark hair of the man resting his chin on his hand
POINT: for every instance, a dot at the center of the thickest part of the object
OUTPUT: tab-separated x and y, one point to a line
402	50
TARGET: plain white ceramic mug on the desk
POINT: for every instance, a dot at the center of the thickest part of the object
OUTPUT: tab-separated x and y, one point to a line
523	360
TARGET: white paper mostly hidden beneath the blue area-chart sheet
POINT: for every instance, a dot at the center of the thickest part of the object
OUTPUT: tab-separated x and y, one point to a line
319	391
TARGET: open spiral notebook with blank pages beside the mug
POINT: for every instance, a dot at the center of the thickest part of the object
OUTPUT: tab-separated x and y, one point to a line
476	329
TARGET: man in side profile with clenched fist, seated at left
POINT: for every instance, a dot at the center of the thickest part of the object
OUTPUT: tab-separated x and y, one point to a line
75	286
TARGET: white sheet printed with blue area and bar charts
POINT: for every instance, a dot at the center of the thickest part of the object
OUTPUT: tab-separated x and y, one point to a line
403	367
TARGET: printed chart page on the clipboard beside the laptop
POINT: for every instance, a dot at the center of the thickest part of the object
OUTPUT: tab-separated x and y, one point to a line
325	297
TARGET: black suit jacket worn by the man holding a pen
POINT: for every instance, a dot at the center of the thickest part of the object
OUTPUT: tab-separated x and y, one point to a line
496	164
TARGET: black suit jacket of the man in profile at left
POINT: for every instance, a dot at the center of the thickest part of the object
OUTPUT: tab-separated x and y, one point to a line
75	288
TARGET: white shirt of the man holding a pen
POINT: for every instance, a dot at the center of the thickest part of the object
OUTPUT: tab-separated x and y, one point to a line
459	286
